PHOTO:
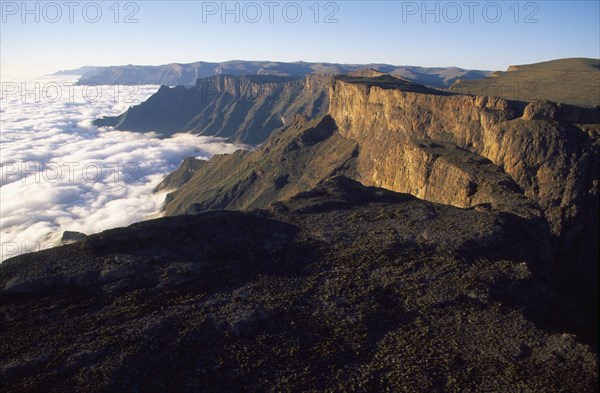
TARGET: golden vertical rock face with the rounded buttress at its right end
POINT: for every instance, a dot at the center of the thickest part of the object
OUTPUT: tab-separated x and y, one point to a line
433	145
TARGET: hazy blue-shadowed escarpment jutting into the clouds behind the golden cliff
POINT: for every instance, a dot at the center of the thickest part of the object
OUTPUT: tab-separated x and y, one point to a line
243	109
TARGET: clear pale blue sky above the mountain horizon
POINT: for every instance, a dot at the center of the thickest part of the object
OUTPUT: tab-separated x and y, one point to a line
468	34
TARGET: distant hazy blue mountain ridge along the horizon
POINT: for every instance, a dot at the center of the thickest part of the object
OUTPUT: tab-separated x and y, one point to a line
186	74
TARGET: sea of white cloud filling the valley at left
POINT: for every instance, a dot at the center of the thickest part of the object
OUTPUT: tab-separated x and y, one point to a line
61	173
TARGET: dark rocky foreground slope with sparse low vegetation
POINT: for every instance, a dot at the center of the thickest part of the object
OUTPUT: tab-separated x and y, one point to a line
344	288
